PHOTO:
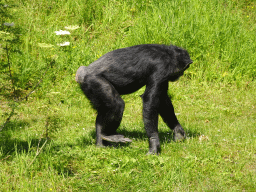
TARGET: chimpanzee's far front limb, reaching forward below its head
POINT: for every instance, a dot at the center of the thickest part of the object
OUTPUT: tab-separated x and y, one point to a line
166	111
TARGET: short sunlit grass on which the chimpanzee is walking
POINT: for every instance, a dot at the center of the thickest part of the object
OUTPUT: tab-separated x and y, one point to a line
218	155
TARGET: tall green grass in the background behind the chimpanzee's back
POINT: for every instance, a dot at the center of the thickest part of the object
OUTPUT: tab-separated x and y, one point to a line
214	32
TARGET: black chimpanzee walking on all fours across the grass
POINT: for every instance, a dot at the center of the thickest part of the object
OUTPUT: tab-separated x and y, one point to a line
124	71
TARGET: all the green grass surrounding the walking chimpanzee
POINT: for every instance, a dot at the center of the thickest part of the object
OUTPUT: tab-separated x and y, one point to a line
49	142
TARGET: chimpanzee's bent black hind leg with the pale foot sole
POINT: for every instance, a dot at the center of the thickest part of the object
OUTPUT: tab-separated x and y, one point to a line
110	107
